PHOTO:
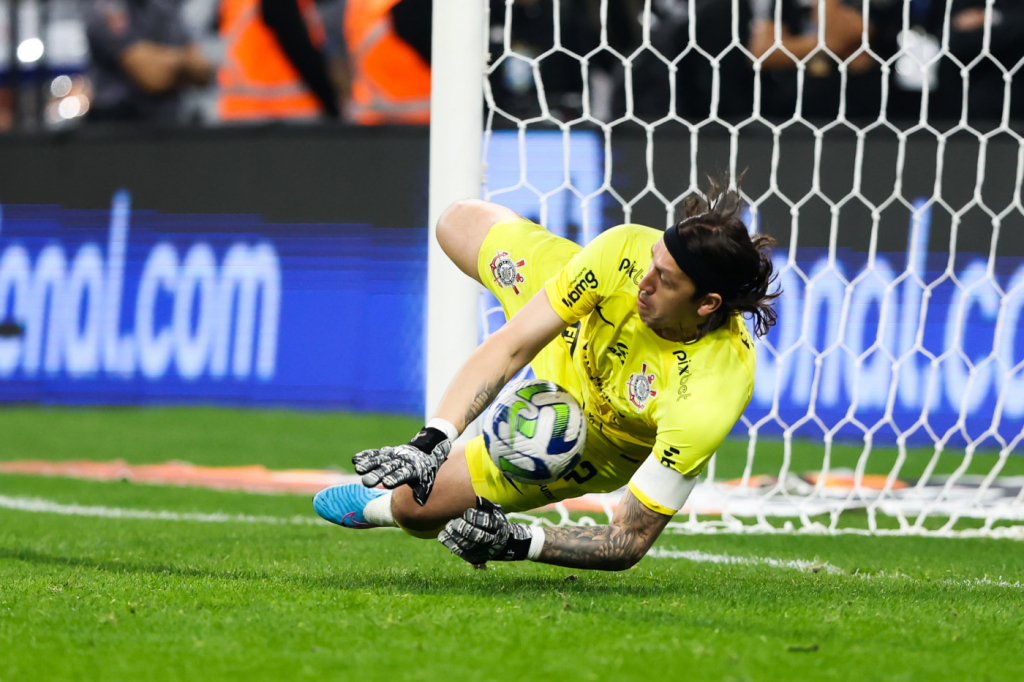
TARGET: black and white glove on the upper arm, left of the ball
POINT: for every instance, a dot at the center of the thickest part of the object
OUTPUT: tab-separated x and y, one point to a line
415	464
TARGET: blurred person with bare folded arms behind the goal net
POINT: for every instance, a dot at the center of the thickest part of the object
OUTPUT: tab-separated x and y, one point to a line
844	30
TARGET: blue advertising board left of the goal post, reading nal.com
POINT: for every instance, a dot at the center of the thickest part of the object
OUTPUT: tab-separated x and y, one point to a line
124	307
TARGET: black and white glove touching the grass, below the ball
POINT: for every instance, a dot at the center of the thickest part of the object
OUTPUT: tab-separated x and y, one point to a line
484	534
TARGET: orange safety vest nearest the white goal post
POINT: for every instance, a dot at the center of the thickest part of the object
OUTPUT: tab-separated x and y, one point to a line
391	80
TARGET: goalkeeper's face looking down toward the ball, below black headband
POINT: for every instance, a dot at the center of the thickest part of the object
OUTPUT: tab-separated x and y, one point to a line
666	301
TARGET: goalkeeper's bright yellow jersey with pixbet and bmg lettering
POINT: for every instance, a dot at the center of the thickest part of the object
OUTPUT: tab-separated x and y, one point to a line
679	400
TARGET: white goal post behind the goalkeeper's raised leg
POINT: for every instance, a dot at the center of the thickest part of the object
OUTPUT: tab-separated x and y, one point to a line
456	174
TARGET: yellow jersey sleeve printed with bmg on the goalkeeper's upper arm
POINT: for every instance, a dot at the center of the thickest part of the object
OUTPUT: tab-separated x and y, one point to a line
591	275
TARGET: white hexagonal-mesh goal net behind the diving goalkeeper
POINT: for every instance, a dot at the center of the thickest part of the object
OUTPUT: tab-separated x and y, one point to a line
887	164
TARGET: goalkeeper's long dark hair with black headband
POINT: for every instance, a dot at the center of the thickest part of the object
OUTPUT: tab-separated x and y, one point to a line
713	230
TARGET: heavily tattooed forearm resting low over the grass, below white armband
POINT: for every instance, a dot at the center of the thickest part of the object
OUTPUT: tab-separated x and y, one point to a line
614	547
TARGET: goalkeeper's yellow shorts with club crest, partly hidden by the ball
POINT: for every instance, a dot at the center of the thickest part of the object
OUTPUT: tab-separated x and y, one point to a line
517	260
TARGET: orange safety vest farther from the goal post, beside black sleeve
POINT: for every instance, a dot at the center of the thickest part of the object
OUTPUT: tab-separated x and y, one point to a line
258	80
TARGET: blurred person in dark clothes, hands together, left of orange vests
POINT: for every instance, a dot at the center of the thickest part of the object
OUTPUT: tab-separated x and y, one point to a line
142	60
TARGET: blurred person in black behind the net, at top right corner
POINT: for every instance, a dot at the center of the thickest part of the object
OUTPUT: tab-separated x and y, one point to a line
987	86
